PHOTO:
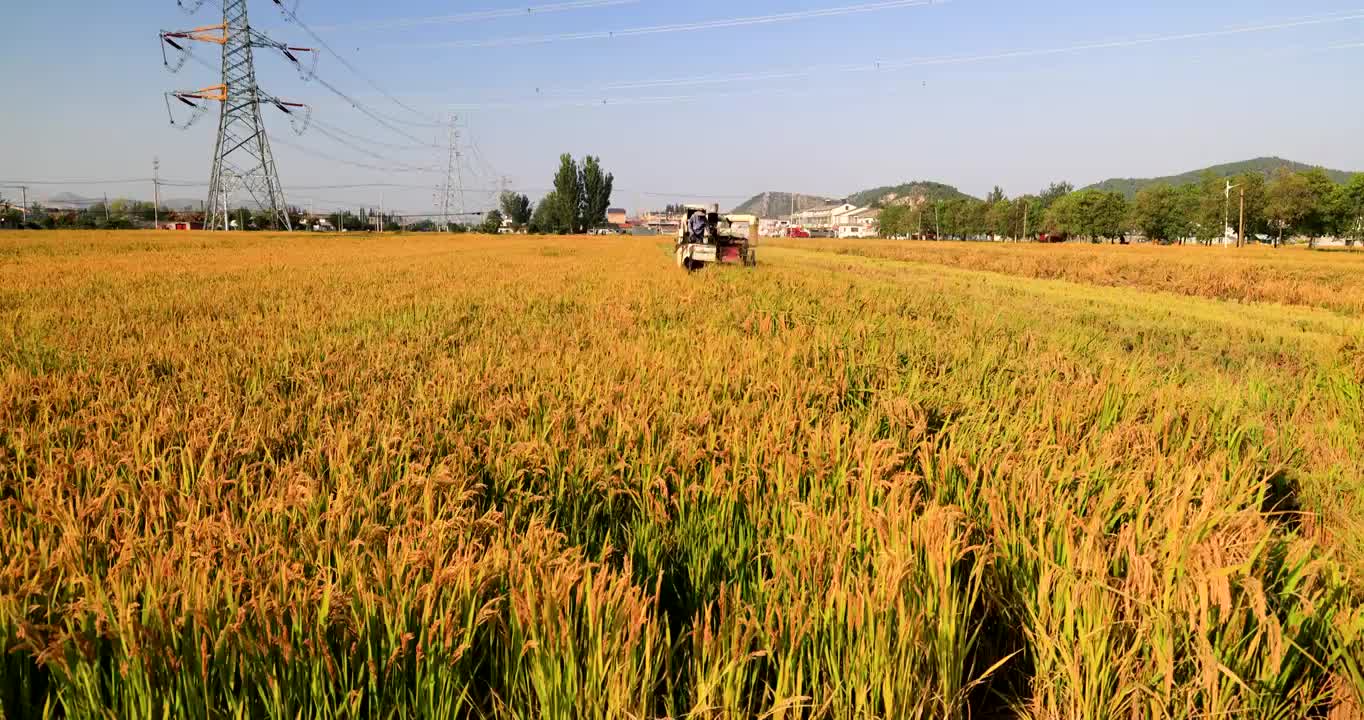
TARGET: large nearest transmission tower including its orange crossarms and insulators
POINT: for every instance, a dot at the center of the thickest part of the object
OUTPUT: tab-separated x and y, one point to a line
242	159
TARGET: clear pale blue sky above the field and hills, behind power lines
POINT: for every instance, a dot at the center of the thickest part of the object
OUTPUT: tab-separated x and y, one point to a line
84	89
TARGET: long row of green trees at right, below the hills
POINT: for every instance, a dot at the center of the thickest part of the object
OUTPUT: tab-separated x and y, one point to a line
1288	205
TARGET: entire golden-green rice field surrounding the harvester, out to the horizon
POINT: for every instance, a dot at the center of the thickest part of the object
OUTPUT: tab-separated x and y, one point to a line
541	478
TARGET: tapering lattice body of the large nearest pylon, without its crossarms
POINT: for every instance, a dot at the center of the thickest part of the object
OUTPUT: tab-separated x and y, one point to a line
242	156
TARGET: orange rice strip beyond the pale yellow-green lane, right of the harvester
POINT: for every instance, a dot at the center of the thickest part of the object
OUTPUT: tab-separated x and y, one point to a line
1331	280
